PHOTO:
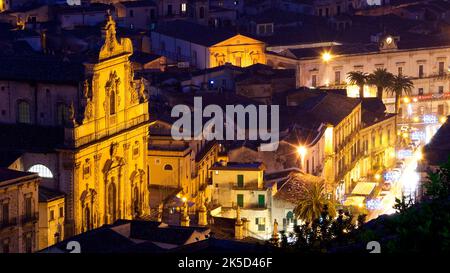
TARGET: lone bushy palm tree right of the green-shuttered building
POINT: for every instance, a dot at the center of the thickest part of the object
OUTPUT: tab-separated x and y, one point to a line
312	201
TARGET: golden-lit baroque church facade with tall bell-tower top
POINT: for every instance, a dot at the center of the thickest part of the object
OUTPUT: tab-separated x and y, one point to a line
109	145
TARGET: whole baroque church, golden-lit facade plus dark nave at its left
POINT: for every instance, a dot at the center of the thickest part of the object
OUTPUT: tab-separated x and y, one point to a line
99	158
